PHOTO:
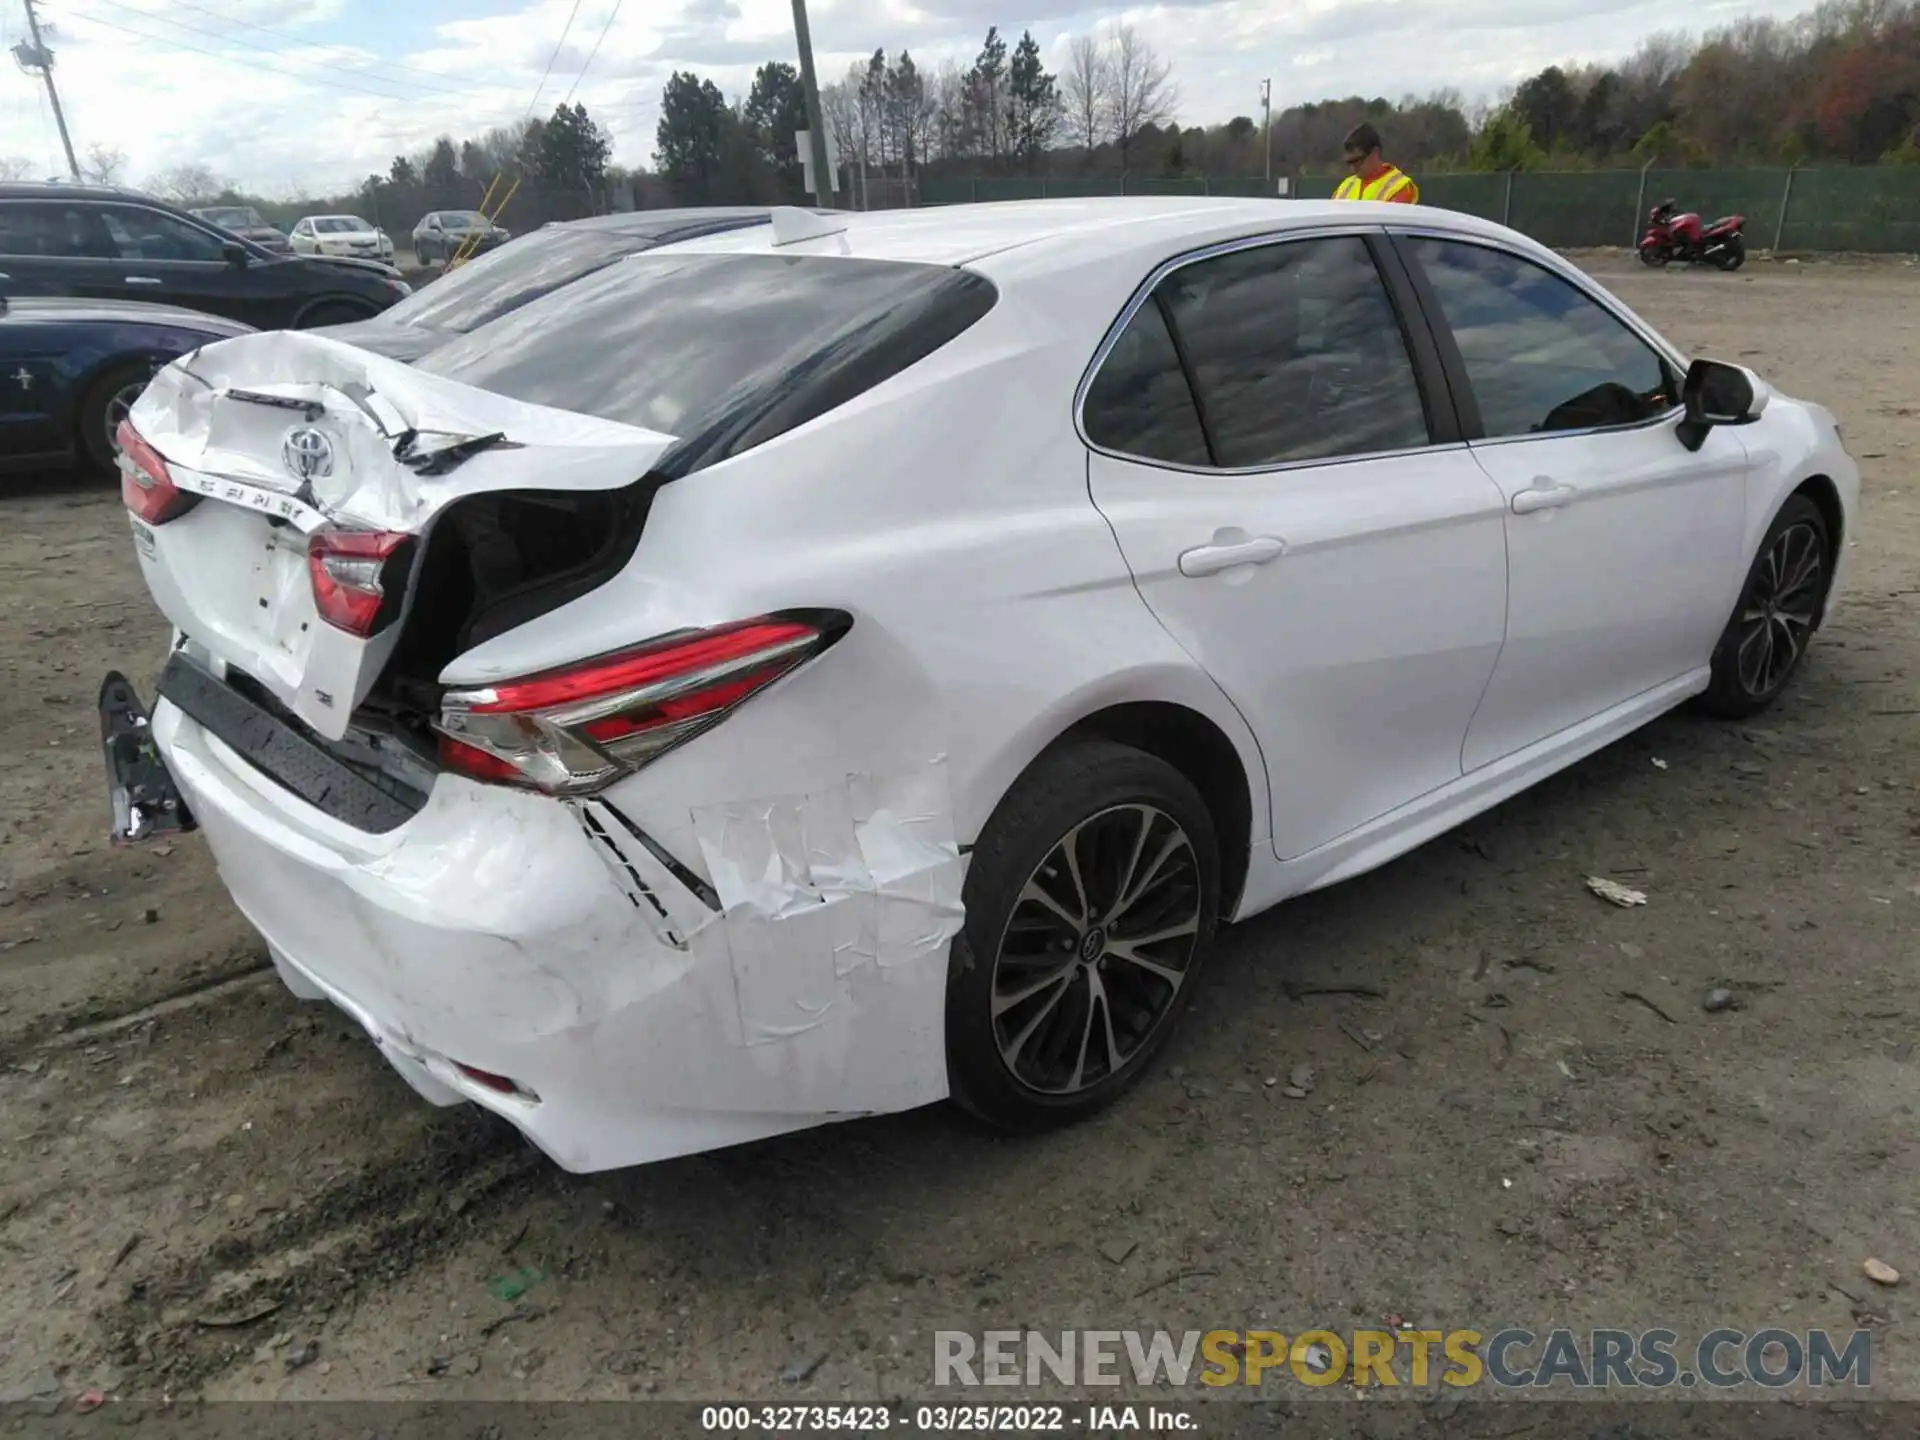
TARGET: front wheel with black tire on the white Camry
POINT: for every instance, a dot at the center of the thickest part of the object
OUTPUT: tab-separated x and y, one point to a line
1779	610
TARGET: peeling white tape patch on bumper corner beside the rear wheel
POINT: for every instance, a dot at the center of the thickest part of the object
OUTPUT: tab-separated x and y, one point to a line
819	890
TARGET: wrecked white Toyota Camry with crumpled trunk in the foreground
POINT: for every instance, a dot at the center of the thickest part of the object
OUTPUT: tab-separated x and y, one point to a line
842	663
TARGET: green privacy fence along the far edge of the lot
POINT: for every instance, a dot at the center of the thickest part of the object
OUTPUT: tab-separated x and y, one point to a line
1871	208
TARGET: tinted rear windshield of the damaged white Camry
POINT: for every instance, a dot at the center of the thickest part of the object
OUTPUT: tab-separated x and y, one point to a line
723	352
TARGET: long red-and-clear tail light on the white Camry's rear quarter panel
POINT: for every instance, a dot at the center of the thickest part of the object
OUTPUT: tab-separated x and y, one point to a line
581	729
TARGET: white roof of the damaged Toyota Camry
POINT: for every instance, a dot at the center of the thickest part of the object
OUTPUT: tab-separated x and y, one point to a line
1038	237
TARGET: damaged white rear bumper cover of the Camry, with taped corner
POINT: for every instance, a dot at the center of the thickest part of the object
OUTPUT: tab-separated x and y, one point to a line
552	946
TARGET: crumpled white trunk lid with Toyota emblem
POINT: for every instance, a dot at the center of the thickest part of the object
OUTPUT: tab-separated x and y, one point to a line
285	435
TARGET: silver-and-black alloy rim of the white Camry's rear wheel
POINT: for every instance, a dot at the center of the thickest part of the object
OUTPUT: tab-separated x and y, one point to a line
1097	949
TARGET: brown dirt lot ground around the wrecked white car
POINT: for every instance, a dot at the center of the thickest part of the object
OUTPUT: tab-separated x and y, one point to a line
1500	1140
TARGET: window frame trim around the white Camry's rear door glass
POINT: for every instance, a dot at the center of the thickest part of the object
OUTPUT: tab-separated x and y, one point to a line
1437	395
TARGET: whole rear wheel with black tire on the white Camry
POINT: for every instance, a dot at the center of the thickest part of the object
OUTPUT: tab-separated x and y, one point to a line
1090	905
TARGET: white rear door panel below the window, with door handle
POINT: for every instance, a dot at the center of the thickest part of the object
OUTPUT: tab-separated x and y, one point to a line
1360	650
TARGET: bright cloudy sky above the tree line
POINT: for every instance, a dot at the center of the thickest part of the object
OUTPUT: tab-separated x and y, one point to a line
306	97
